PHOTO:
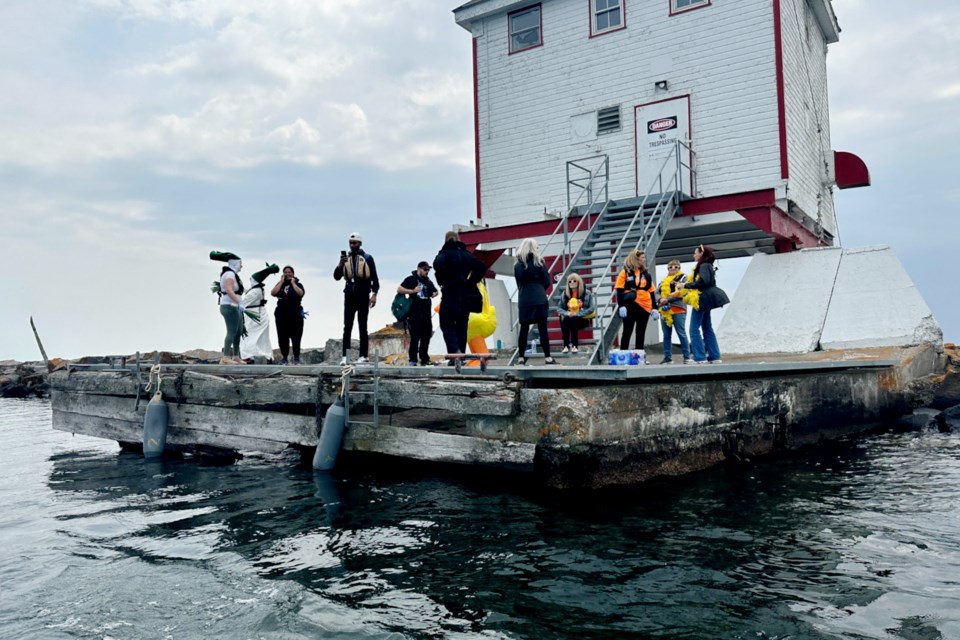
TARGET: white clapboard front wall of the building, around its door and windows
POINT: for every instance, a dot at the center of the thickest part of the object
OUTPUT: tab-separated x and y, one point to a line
533	104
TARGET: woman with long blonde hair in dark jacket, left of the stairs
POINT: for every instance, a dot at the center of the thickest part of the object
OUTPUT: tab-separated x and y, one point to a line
532	283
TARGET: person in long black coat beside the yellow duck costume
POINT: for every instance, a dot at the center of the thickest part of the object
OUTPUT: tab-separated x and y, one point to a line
458	274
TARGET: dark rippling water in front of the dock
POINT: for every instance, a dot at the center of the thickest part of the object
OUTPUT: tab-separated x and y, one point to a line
861	541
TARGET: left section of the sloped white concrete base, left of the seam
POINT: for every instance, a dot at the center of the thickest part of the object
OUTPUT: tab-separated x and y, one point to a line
781	303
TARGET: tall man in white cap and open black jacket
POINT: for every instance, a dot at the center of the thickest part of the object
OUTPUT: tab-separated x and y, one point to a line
361	285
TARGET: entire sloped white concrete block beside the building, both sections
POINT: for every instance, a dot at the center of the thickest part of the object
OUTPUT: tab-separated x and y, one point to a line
829	298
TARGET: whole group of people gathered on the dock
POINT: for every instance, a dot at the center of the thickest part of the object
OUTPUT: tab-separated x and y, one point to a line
458	273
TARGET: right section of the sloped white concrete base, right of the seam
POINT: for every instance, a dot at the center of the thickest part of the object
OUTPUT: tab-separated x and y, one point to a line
876	304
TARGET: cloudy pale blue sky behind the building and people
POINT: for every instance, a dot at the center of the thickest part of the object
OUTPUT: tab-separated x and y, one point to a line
138	135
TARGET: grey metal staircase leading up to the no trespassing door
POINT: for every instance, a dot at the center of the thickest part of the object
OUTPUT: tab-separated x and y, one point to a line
617	230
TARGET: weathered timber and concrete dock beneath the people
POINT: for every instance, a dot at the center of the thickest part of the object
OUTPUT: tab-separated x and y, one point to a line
571	426
